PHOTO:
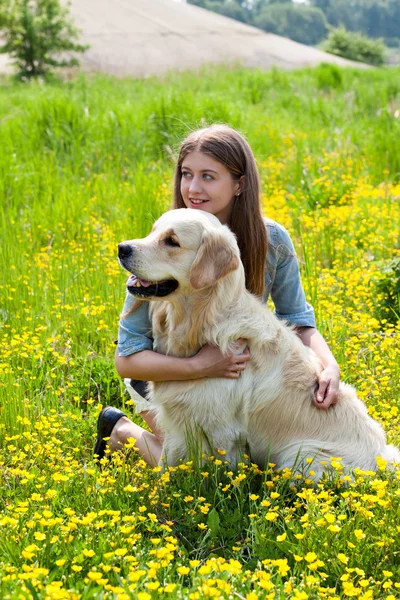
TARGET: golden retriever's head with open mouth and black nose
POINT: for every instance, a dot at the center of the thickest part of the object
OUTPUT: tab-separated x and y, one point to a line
186	251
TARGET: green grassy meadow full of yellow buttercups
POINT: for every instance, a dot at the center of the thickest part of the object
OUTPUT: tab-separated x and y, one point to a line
88	163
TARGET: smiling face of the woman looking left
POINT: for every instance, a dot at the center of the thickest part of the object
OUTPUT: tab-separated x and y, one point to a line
206	184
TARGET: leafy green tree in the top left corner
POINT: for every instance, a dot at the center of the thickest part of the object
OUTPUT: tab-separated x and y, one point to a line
37	34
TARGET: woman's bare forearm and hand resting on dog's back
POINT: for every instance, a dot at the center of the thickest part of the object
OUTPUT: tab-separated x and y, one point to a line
329	378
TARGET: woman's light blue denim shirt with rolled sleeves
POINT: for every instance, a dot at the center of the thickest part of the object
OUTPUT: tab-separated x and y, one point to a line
282	282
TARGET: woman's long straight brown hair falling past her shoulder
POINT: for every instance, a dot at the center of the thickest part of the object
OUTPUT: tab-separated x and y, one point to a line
228	147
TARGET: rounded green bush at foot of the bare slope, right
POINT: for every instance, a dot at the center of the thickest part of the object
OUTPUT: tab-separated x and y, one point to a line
355	46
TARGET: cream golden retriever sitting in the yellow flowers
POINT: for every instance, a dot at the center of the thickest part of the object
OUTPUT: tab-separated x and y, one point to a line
189	267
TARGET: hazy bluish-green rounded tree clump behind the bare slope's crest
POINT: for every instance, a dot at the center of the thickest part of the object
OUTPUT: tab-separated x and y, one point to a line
304	24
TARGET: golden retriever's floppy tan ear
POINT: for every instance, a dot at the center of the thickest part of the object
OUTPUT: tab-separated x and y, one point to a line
215	259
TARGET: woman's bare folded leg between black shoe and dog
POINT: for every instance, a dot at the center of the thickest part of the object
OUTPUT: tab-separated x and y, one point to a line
149	445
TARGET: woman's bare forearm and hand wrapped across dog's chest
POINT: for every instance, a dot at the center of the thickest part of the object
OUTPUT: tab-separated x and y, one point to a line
148	365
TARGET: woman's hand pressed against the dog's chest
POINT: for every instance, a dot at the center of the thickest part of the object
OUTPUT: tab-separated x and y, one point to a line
210	362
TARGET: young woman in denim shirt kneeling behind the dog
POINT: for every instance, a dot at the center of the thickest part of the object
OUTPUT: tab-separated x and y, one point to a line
216	172
